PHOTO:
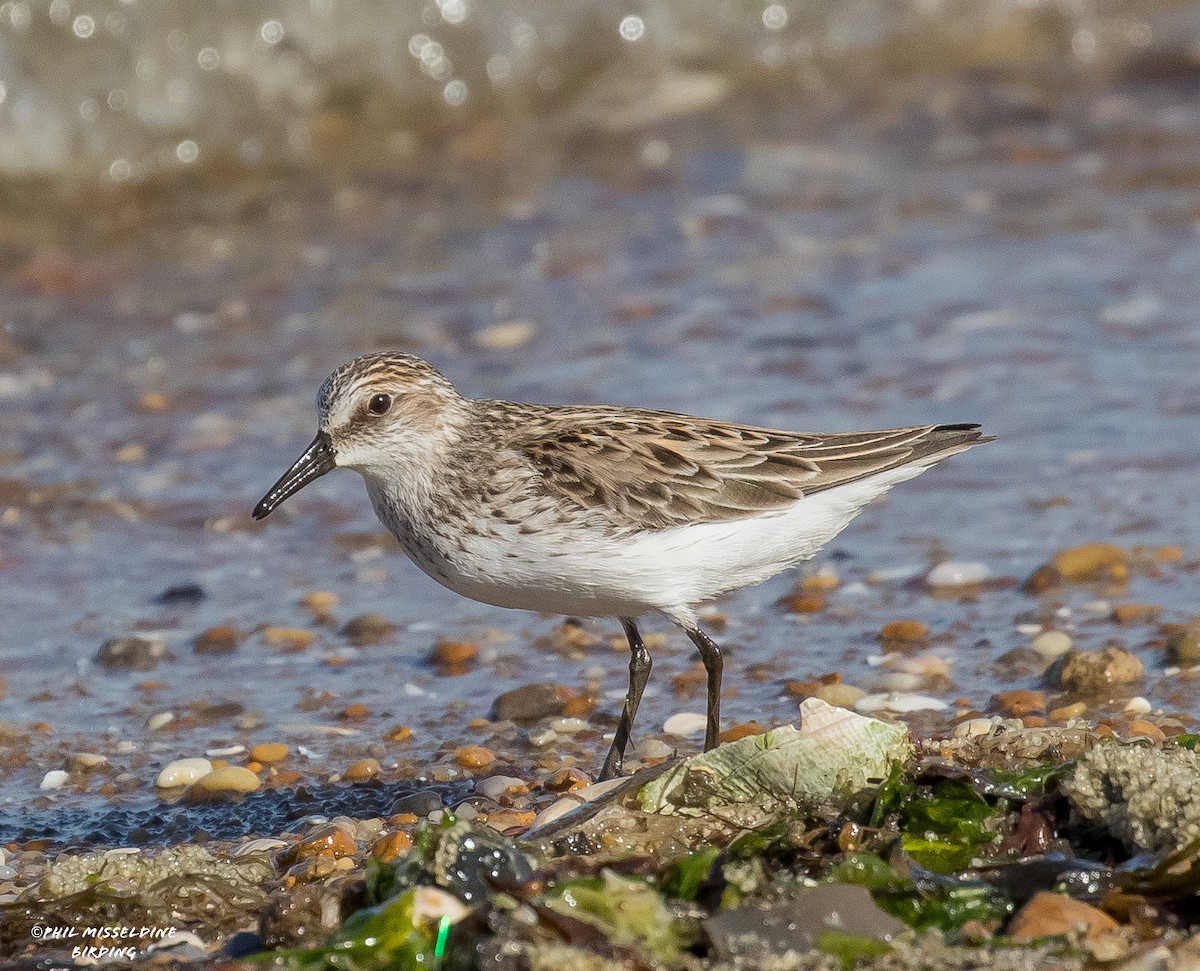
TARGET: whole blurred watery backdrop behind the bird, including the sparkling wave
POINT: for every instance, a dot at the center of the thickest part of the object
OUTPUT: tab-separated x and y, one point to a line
821	217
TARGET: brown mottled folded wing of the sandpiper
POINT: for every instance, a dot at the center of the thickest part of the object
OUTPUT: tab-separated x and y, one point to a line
657	470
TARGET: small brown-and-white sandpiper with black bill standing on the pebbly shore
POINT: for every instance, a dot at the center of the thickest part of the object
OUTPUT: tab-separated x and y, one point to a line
597	512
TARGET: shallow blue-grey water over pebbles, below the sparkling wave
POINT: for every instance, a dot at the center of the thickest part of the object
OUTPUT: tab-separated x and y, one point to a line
969	248
